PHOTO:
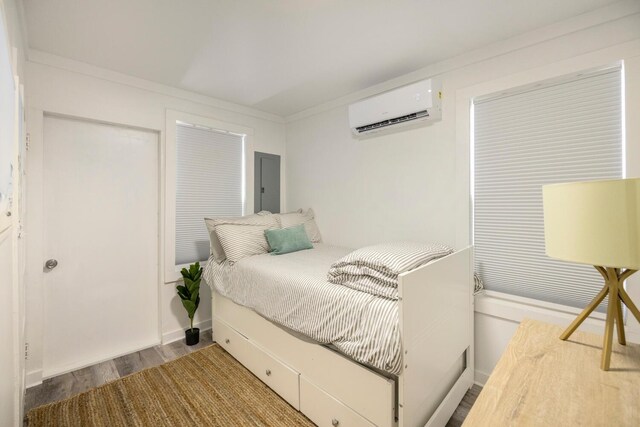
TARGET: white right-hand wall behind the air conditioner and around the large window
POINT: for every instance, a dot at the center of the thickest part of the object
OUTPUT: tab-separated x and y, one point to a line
415	184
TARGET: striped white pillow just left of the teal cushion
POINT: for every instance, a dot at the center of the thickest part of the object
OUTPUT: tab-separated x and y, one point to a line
242	240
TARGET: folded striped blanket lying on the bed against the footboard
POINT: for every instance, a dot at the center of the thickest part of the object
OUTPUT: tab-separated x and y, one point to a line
375	269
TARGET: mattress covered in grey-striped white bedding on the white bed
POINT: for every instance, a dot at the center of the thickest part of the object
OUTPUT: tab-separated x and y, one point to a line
292	290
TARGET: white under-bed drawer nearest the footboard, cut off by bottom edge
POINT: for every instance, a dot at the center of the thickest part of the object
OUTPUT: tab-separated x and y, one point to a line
325	410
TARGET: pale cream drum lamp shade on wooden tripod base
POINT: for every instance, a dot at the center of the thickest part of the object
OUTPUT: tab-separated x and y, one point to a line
596	222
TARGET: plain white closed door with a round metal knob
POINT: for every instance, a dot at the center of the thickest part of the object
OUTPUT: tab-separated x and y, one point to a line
101	227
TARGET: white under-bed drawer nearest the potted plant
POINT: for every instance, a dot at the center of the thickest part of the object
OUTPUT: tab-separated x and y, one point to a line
278	376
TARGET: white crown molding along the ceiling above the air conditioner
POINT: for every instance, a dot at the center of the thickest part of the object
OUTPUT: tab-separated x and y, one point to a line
600	16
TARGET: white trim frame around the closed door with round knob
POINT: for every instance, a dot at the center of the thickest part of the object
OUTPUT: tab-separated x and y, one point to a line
35	232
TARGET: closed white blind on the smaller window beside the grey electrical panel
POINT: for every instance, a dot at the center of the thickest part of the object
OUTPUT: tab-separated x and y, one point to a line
209	183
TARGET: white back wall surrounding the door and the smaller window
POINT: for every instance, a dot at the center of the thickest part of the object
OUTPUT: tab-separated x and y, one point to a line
66	87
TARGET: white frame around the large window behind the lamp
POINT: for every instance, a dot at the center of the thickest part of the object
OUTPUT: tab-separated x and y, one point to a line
481	85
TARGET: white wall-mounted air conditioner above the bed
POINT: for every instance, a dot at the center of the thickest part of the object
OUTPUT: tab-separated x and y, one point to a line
414	104
